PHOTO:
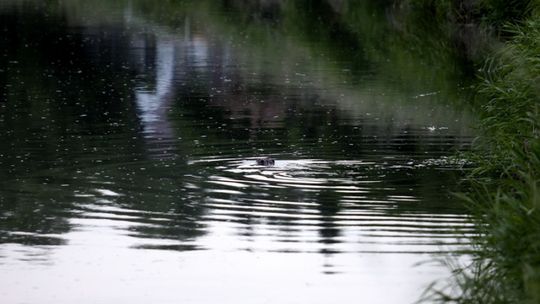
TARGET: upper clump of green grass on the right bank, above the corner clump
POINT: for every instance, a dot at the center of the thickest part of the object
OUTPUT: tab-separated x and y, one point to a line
509	99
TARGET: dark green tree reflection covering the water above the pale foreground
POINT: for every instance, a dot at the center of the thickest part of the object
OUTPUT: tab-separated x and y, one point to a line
98	106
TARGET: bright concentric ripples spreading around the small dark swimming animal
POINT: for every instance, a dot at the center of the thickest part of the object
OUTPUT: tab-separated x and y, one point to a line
314	205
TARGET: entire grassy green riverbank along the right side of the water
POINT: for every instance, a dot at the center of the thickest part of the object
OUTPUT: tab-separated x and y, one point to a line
505	180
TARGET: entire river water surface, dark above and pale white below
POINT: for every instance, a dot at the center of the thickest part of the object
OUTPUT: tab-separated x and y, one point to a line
129	132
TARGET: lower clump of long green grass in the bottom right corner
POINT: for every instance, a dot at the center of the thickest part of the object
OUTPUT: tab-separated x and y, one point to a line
506	259
